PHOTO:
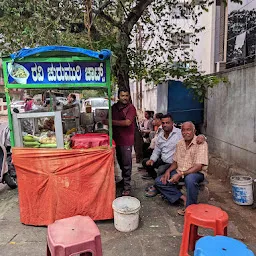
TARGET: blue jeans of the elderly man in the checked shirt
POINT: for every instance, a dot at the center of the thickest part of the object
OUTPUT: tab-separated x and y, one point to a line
172	193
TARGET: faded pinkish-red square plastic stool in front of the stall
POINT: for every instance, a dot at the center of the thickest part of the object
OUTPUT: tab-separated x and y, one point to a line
74	235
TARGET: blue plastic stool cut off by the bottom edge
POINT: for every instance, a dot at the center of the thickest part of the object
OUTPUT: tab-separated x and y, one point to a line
221	246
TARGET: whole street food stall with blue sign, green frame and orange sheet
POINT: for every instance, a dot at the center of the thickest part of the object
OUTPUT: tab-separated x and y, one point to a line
62	168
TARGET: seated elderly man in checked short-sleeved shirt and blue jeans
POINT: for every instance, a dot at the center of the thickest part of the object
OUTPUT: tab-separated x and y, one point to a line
189	161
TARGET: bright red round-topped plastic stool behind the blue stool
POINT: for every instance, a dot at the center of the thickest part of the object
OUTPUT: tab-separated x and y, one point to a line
201	215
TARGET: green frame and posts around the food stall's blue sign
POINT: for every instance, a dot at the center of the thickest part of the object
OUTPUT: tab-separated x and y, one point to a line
51	85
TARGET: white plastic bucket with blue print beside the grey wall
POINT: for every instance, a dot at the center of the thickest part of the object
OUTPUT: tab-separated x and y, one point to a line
242	190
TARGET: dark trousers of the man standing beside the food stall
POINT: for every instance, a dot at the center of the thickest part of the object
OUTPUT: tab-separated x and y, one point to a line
124	158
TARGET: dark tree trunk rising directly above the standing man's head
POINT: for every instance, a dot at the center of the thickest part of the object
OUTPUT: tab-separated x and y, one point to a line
121	68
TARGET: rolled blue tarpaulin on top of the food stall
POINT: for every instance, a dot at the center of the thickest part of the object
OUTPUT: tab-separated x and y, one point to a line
60	50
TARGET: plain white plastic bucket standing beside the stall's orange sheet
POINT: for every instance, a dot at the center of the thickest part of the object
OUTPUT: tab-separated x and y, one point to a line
126	213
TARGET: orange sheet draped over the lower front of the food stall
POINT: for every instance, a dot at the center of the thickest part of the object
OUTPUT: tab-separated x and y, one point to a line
55	184
